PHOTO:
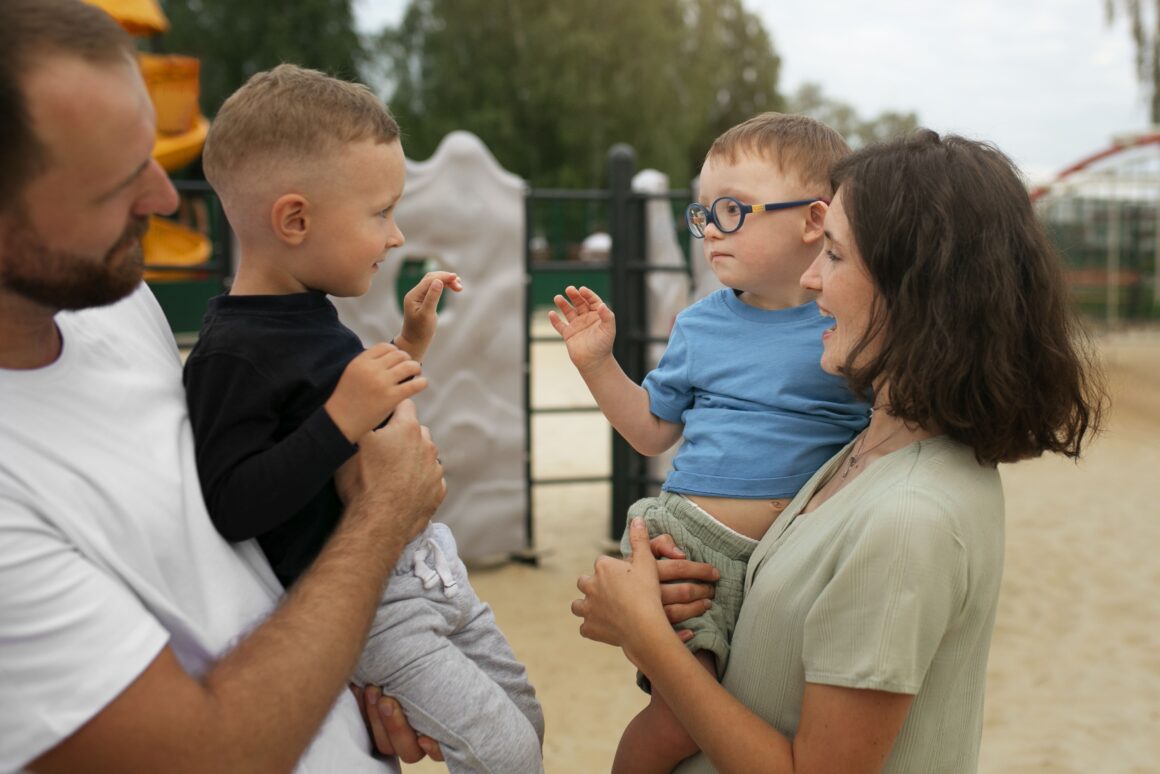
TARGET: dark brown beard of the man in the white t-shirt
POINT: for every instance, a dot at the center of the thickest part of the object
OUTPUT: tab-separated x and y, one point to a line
63	280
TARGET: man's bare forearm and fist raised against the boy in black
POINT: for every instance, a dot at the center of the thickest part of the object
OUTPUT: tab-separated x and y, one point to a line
263	704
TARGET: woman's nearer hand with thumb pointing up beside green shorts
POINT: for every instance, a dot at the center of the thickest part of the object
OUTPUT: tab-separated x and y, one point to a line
622	603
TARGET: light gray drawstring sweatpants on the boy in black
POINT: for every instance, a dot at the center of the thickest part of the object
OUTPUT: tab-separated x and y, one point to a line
437	649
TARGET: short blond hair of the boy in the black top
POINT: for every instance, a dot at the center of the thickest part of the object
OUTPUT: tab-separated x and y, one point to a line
291	115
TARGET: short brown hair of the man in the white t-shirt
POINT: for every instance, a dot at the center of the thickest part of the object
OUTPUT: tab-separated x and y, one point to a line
32	31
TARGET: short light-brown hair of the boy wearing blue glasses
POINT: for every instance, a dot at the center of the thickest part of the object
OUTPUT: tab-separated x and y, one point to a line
797	144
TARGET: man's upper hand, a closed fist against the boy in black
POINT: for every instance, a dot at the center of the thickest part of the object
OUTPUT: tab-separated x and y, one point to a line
396	474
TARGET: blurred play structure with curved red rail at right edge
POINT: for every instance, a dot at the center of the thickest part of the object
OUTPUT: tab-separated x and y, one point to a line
1104	215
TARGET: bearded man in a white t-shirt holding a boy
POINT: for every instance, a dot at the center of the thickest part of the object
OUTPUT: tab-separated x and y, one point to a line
132	636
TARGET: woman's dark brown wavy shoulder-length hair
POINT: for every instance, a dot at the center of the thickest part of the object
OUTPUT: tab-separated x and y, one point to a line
980	336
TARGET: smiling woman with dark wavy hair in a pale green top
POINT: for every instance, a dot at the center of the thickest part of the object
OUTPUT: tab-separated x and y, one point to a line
864	640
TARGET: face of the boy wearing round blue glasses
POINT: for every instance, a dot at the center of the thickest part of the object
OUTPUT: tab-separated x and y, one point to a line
763	259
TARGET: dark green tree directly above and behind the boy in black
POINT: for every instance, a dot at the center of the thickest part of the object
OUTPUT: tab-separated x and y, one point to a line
237	39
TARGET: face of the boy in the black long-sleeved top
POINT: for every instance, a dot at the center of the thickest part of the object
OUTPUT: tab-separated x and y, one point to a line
353	218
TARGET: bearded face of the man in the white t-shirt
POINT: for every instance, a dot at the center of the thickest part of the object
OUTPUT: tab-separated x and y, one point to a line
75	240
